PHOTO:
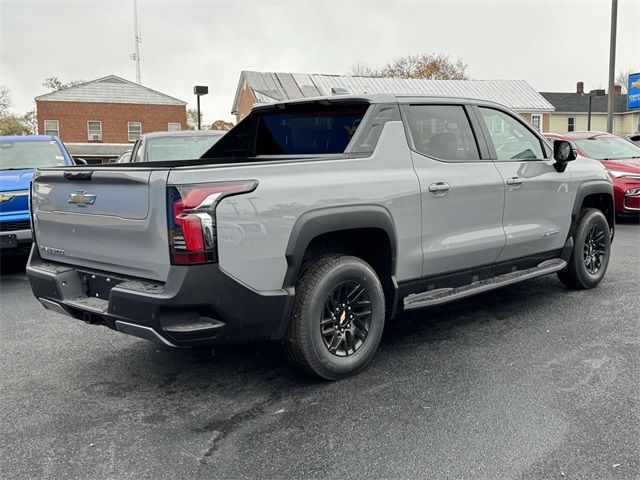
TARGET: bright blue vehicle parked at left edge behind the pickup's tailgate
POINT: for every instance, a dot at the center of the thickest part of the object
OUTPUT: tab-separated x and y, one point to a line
19	158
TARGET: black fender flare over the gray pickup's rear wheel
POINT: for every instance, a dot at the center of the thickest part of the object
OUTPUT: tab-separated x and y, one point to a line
334	219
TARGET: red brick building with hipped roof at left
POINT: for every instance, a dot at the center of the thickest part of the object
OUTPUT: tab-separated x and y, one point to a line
100	119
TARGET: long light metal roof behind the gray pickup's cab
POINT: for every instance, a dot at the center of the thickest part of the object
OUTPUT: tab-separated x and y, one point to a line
272	86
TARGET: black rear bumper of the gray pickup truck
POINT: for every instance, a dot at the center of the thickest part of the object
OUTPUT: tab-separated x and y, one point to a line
198	305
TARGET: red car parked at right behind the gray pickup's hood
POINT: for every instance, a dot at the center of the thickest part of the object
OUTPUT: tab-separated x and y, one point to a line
620	157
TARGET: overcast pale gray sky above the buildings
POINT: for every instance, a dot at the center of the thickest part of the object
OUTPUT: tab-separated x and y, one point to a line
551	44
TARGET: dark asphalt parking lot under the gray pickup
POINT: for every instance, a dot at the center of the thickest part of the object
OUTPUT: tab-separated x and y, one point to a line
530	382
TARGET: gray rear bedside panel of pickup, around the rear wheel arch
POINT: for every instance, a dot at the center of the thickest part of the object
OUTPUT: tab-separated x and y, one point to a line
254	229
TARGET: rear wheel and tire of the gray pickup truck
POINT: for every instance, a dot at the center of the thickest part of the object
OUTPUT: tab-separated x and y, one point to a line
334	344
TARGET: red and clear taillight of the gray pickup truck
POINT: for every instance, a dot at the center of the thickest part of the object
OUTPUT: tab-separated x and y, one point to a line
192	220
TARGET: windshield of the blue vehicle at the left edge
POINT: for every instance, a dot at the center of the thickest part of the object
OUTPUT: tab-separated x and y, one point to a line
29	154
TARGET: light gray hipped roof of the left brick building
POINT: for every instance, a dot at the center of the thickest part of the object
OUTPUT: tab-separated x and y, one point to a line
110	89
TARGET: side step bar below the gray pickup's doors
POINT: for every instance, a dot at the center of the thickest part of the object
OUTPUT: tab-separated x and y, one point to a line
445	295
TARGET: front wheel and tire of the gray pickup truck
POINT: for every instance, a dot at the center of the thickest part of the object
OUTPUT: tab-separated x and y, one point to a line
587	266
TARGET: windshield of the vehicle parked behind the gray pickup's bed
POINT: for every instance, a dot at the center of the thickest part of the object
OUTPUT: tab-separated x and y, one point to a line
183	147
